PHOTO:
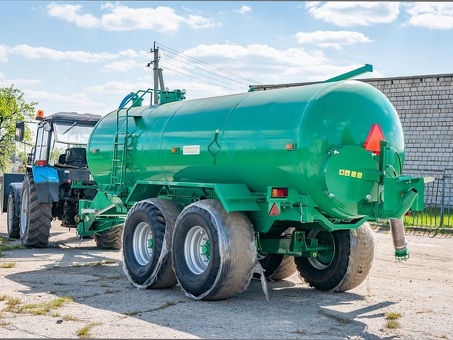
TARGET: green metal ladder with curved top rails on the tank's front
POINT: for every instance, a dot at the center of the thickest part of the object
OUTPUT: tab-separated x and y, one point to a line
121	143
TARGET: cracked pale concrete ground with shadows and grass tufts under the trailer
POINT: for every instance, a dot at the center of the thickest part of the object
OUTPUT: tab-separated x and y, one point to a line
418	293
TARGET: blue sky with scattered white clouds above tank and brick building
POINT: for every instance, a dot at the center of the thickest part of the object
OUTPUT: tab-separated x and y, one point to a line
86	56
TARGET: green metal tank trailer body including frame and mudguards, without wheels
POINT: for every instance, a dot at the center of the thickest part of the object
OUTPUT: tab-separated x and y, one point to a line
309	139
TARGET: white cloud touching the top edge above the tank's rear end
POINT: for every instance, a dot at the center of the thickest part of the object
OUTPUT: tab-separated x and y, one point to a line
354	13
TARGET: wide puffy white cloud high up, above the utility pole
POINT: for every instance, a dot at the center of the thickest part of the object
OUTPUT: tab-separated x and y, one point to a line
123	18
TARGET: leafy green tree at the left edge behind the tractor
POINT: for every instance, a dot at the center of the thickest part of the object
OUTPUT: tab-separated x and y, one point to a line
13	108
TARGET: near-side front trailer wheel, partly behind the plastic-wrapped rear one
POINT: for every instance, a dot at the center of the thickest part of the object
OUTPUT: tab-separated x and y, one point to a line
147	243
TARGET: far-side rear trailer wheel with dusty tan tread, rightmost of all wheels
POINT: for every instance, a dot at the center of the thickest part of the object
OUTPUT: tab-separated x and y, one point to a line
345	265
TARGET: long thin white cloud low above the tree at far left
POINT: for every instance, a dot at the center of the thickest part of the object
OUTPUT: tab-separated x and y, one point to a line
30	52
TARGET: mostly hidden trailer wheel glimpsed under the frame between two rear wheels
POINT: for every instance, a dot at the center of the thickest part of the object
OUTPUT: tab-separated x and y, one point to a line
276	267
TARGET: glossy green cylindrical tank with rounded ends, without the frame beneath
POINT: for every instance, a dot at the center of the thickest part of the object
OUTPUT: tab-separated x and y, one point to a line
307	138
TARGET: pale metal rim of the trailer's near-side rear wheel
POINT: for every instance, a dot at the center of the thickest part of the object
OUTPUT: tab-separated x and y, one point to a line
197	250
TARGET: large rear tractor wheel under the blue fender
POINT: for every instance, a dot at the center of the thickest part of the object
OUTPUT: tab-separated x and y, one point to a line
35	217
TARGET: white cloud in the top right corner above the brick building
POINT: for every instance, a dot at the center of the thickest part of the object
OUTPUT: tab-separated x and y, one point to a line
431	15
